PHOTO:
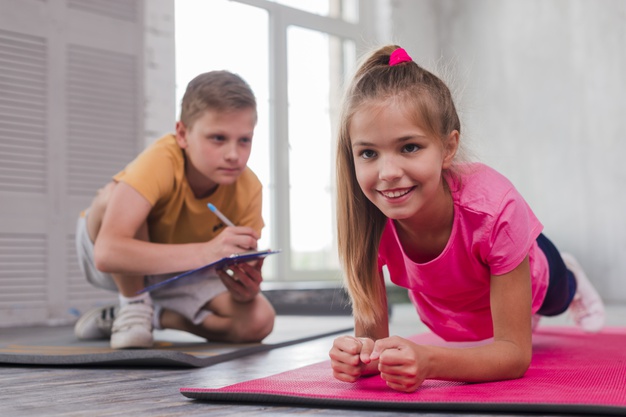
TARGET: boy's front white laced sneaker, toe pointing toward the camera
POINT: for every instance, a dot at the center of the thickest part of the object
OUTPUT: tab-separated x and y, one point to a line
132	328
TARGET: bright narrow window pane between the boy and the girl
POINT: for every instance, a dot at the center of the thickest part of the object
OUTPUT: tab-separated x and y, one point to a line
315	61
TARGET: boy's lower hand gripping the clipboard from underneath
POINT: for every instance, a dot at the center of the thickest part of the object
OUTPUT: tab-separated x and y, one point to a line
243	280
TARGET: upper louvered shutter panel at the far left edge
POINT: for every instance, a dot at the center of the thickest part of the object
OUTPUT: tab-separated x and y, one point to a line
23	92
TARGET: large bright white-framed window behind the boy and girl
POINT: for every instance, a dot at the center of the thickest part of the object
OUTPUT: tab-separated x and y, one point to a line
295	59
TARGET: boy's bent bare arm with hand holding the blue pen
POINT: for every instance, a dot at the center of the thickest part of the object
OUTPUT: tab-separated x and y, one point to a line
117	248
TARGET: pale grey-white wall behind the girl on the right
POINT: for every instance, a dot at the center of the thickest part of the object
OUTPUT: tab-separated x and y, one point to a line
541	88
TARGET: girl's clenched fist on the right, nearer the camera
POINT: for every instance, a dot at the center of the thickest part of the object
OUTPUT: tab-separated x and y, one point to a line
399	363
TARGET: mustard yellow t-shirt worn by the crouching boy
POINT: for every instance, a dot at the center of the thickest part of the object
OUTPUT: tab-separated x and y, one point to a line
177	216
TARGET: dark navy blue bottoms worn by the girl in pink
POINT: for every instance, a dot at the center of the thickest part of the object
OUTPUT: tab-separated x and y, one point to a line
562	284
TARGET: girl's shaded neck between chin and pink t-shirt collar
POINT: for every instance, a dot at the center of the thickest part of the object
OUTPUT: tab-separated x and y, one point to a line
424	237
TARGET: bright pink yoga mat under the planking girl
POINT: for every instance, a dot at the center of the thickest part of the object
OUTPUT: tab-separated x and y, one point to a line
570	372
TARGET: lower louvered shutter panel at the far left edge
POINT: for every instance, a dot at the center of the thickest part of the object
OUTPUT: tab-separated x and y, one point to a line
23	271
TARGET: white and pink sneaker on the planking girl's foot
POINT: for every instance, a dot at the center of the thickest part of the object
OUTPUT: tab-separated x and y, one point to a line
586	308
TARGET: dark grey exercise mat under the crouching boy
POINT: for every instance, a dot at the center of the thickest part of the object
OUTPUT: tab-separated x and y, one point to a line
58	346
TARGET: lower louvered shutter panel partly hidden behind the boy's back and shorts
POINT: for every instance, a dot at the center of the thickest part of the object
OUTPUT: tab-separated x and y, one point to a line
81	294
